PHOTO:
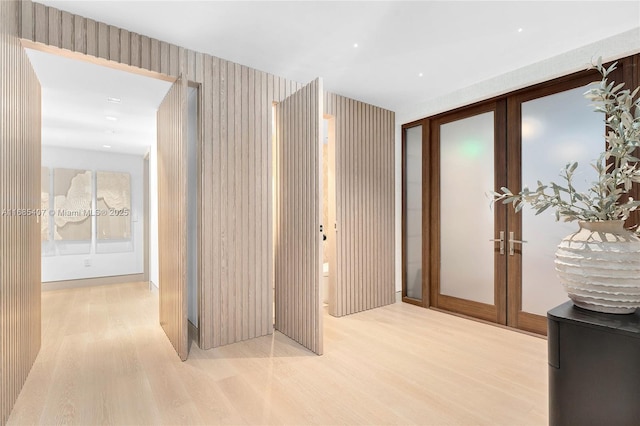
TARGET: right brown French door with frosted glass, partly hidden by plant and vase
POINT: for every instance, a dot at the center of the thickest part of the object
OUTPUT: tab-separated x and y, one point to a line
547	128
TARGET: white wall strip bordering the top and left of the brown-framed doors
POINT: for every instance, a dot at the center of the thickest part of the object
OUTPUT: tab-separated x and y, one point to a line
624	44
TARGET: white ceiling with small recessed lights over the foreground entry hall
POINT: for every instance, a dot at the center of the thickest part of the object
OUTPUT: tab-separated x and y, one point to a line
453	44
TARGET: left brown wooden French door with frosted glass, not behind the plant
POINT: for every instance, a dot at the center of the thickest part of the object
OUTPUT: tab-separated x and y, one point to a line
468	159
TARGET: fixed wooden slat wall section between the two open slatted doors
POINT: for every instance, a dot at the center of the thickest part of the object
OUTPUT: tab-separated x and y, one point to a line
237	285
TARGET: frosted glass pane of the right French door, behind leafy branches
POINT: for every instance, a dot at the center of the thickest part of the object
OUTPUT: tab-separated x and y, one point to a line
556	129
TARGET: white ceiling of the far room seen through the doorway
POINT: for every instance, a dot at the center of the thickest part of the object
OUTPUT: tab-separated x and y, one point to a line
75	106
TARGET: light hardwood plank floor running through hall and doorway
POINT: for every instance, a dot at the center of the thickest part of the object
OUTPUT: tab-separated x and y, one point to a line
105	360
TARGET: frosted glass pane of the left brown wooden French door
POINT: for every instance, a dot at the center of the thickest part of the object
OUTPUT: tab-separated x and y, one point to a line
466	221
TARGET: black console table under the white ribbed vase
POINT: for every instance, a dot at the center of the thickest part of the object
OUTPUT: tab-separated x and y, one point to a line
594	367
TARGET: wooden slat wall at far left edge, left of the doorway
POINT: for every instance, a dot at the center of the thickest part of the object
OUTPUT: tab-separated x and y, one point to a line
19	189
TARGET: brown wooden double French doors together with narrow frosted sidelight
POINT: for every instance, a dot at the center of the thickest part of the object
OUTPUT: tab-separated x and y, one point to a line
460	253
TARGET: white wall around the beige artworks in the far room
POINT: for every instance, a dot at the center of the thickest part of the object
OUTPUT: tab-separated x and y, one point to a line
122	258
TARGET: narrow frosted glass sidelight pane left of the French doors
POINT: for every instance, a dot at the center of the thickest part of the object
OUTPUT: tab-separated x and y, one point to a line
413	213
